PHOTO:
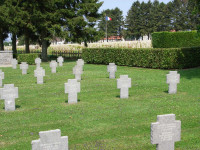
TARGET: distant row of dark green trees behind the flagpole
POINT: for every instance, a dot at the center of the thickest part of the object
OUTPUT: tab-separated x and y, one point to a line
146	18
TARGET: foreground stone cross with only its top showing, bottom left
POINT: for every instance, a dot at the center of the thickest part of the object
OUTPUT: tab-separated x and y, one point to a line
50	140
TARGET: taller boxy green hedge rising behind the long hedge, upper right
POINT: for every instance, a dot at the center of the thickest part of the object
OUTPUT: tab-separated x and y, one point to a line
175	39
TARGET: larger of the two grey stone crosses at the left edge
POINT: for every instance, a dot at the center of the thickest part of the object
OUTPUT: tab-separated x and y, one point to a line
9	93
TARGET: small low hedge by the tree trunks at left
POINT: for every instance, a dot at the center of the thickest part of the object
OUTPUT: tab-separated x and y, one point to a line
29	58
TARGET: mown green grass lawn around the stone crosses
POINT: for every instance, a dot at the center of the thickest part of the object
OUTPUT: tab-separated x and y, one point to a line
100	120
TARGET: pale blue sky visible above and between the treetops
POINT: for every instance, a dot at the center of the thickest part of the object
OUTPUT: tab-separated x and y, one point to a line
123	5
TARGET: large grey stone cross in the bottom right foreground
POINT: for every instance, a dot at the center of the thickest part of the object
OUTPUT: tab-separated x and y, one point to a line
165	132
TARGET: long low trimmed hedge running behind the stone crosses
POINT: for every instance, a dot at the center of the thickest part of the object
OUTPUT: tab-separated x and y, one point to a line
168	58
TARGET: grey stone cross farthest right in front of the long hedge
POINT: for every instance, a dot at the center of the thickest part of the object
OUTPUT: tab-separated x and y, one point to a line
173	79
